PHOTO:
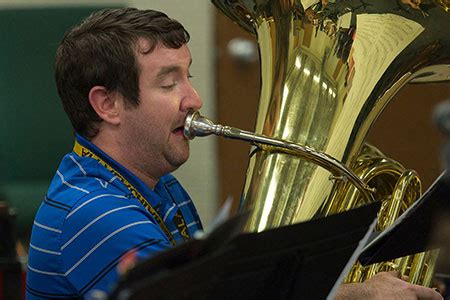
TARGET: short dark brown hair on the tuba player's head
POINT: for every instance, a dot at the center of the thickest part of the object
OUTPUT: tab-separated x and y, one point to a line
101	51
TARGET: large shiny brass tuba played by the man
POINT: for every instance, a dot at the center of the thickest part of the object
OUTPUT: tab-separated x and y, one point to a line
328	69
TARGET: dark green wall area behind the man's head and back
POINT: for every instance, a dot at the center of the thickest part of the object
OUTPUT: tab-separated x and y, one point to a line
34	130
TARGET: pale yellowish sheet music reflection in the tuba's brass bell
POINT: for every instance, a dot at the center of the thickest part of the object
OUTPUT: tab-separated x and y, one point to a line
378	40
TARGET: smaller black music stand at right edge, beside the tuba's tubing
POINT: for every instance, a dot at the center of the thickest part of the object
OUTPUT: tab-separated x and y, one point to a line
414	231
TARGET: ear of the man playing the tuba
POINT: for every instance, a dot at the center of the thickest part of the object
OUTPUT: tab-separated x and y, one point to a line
106	104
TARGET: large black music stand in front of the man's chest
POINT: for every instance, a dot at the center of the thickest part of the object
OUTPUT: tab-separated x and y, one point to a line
300	261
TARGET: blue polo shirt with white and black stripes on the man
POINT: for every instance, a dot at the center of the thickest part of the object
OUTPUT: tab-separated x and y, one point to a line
89	219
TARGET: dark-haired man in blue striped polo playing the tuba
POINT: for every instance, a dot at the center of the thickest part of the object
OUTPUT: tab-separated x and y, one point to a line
123	78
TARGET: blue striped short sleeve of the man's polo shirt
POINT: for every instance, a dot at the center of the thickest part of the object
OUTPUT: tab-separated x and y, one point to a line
98	232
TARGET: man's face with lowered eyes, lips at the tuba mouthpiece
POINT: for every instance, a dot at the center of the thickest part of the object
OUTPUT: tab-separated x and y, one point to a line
155	126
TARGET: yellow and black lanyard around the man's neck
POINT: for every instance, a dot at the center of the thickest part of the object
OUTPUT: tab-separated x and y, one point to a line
181	224
